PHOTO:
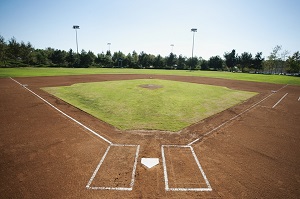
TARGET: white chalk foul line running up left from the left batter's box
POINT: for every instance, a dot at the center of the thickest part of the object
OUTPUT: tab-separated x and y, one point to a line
71	118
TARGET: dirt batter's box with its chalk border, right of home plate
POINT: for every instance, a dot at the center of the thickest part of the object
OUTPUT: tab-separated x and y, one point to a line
182	169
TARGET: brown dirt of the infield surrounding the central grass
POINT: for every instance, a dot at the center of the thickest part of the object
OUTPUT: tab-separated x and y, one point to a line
248	151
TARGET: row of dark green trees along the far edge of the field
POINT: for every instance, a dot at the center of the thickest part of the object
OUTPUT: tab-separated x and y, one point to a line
15	54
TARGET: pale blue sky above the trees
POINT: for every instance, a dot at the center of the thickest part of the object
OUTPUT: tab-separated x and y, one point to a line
153	25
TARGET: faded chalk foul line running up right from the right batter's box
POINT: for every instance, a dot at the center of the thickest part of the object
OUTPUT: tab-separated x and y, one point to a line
224	123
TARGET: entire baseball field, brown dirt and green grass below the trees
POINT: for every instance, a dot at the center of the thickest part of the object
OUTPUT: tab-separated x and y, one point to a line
69	133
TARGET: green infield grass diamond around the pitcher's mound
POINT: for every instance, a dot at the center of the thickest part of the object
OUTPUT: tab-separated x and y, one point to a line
127	106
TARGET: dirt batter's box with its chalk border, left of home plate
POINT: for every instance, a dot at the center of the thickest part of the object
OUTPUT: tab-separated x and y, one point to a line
116	169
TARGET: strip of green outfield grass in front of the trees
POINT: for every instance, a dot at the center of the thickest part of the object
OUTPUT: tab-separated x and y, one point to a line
29	72
